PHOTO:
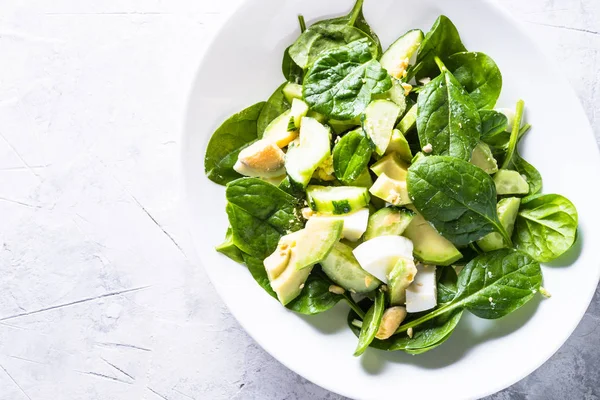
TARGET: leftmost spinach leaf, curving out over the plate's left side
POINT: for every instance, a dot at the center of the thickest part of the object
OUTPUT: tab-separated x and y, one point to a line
237	132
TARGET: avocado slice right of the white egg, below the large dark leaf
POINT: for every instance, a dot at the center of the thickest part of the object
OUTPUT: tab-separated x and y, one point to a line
429	246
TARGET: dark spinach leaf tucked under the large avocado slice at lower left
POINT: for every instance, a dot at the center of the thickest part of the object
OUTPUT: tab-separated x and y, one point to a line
315	297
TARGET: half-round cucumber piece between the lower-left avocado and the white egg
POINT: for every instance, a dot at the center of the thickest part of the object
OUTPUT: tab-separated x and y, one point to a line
342	268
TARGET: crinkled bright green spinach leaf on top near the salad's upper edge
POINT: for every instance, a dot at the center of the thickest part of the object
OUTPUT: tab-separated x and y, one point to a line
341	82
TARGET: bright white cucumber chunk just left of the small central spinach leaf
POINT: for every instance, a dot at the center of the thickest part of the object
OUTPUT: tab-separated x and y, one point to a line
304	157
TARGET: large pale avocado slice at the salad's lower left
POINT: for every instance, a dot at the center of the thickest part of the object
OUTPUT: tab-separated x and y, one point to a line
290	264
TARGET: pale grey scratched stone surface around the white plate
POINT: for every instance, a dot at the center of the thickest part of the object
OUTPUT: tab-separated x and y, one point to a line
99	295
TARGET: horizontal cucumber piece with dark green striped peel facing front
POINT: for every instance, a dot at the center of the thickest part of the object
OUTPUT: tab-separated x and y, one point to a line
337	199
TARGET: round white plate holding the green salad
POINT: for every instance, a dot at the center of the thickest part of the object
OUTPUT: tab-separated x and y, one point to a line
243	66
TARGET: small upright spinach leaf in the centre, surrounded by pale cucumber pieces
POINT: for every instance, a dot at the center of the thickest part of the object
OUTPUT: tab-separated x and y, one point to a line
351	156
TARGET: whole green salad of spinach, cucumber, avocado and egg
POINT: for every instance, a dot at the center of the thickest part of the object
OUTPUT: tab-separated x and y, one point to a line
388	180
